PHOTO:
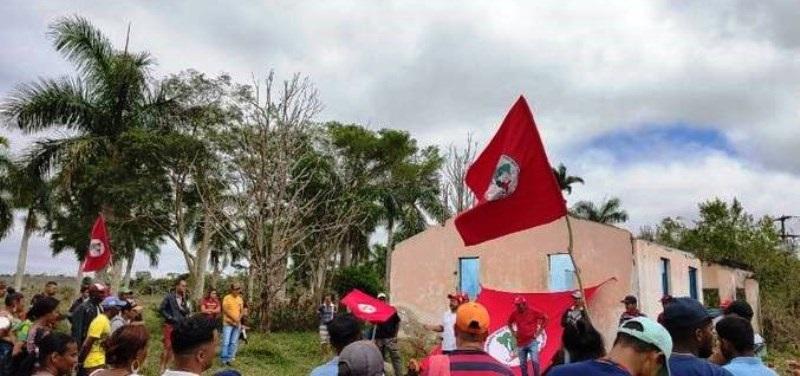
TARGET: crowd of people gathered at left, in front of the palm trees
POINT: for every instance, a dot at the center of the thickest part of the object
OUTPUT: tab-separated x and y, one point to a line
107	335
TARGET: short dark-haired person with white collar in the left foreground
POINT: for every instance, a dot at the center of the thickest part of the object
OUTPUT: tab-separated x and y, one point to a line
194	341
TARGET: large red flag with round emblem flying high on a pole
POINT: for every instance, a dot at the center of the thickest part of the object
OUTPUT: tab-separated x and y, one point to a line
513	182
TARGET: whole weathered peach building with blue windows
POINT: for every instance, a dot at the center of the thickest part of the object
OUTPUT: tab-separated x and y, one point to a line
426	267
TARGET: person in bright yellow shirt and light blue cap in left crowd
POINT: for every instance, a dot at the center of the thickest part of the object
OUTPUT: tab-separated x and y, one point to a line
93	355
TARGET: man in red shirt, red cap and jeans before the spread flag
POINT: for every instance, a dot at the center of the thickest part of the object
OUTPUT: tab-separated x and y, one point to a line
527	325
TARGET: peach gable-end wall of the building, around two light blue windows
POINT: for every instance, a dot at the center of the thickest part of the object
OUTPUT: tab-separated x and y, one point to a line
425	267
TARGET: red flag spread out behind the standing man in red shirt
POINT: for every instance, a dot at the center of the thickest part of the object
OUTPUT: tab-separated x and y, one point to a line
500	344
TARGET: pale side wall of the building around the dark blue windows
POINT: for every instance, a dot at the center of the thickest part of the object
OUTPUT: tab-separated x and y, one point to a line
648	269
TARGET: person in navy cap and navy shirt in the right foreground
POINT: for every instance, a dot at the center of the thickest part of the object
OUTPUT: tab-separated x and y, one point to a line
690	326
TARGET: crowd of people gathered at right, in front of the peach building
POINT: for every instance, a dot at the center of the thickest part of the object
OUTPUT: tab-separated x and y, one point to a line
686	339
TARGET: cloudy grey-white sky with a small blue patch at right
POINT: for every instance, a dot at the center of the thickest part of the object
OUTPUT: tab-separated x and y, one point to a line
661	103
